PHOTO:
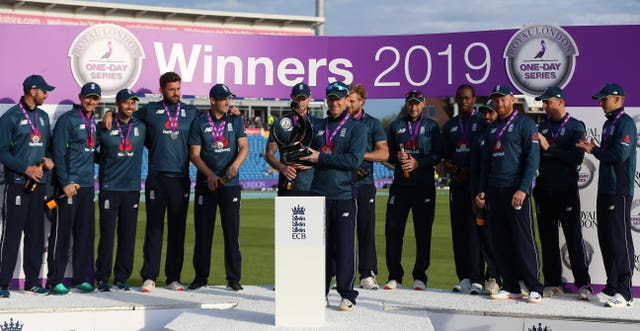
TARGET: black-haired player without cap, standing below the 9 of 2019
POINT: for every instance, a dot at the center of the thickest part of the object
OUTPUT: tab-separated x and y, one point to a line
458	135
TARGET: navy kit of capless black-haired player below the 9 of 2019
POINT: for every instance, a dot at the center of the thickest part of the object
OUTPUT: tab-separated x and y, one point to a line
458	136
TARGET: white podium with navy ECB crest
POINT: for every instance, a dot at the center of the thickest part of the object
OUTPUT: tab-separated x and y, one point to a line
300	261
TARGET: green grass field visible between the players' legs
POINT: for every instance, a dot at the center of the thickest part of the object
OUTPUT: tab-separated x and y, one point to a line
257	245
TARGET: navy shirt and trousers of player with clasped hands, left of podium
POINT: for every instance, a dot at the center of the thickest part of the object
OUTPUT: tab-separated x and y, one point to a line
218	159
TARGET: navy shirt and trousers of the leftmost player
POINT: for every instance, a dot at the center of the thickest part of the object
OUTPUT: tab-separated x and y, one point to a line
22	212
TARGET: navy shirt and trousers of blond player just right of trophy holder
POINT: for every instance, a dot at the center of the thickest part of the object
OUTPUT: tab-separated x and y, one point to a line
366	201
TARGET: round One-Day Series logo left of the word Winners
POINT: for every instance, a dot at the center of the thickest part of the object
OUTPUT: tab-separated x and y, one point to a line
107	54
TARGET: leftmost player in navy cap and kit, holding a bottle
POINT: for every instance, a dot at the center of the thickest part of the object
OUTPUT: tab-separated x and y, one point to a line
25	138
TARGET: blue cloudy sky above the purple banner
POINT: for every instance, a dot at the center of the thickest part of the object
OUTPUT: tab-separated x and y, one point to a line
402	17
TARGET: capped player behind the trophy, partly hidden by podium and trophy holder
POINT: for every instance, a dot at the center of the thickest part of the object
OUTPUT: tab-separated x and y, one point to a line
294	179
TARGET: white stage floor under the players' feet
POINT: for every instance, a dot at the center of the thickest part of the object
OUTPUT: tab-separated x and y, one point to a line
216	308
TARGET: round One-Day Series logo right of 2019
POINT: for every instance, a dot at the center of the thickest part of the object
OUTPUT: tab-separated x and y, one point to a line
539	56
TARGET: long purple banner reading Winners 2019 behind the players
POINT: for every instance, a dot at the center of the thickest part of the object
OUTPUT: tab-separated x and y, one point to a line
259	66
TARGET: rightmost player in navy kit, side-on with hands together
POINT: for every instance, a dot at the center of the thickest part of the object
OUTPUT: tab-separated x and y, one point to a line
617	156
